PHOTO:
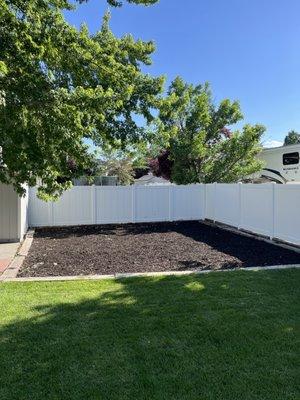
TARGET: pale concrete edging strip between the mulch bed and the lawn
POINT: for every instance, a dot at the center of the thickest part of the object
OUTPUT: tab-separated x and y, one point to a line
142	274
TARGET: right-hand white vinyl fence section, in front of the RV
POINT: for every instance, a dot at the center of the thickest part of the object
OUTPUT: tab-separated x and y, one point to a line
267	209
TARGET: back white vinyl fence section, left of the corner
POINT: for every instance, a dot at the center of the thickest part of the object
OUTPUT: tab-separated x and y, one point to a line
119	204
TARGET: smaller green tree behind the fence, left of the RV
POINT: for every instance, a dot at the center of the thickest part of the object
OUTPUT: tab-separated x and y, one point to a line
195	132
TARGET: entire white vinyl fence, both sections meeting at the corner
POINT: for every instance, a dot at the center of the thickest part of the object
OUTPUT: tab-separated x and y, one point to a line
267	209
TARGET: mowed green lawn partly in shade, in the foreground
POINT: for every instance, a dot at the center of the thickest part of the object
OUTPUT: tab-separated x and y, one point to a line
231	335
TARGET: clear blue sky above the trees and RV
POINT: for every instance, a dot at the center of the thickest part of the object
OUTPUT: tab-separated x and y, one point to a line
248	50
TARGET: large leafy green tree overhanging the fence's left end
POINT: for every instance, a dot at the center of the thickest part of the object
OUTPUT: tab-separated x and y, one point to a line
59	86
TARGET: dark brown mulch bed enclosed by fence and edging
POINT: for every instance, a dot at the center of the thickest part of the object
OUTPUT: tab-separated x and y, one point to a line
108	249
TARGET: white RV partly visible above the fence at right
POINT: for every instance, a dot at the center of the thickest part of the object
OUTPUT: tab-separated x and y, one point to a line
282	164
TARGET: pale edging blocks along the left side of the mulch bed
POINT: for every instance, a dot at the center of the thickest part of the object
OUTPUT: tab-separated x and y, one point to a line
13	268
